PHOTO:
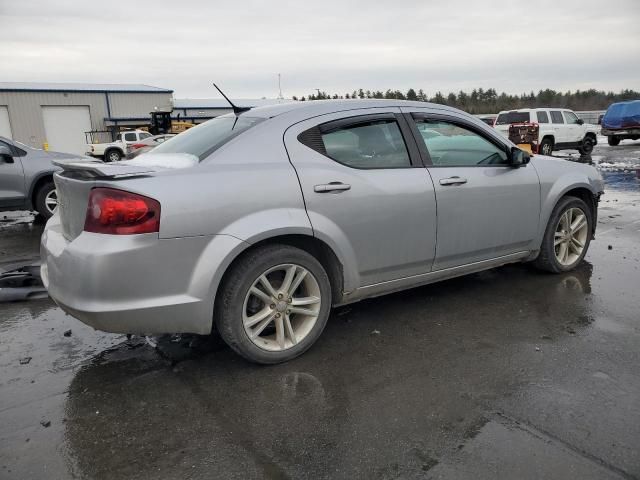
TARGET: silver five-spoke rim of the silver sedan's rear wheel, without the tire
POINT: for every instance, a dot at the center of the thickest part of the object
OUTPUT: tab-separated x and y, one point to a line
281	307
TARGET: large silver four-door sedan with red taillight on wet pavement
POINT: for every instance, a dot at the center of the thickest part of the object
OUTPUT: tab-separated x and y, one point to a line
256	224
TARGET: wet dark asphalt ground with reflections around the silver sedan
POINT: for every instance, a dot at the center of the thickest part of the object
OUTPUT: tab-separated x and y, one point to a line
509	373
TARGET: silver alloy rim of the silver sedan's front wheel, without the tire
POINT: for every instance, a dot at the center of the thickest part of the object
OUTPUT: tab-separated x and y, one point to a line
570	236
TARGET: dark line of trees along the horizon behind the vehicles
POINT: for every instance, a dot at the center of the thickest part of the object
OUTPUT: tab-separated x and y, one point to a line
489	101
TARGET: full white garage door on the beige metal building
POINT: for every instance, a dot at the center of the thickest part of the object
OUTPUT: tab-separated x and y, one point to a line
65	126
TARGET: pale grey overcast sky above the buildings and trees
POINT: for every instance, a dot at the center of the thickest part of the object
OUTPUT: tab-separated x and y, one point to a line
336	46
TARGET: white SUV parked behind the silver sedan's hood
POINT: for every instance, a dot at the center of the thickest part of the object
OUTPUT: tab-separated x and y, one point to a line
560	128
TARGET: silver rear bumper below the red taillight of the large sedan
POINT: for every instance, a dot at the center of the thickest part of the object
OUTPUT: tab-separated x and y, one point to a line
134	283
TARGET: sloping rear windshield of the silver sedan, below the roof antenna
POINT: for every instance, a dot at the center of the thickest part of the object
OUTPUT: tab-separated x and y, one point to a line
204	139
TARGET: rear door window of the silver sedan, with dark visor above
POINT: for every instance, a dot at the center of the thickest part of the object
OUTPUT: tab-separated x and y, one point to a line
373	144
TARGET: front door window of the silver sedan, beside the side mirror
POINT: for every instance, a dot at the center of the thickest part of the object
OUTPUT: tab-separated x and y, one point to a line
451	145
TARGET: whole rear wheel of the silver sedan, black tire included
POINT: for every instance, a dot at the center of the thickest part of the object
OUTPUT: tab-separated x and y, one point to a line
240	315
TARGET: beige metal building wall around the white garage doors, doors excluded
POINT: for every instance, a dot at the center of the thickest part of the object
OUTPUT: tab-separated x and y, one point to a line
25	109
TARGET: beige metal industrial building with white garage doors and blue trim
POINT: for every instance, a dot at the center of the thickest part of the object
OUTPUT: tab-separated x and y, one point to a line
58	115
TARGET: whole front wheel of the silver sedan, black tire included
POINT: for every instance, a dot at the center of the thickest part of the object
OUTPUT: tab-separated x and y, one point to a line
558	239
